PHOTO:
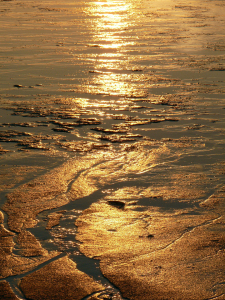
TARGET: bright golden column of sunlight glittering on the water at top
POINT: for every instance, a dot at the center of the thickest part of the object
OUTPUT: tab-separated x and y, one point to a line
111	29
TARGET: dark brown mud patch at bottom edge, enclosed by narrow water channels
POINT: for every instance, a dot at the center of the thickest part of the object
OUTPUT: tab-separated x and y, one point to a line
59	280
